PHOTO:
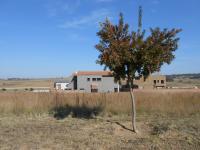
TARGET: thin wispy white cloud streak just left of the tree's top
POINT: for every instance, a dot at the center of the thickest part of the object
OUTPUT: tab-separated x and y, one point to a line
94	18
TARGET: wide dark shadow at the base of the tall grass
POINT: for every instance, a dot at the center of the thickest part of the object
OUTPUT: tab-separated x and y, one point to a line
86	112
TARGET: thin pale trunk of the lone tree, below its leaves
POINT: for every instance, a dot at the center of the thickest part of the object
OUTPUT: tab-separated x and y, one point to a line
133	108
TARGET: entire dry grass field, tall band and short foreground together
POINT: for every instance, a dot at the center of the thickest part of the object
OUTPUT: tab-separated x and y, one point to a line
166	119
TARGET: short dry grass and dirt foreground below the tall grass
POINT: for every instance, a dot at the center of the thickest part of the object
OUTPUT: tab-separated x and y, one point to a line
46	132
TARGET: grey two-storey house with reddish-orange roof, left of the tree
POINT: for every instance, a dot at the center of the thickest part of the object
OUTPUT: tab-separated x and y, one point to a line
94	81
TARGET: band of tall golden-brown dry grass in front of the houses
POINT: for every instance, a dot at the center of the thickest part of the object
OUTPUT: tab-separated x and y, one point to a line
147	101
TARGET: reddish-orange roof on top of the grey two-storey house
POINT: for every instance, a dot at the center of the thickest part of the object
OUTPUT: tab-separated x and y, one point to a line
101	73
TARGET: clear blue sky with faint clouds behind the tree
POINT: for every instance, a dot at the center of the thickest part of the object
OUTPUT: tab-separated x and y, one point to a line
54	38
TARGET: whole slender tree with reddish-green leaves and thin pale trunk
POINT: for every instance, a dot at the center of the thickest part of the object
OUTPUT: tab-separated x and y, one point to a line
129	54
